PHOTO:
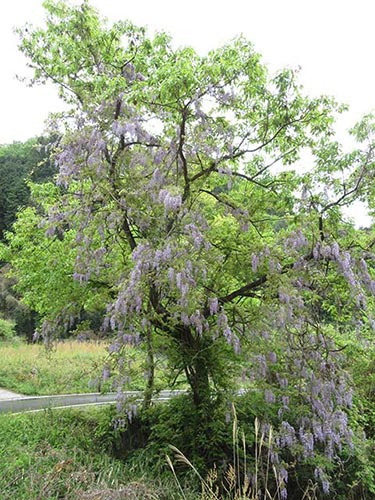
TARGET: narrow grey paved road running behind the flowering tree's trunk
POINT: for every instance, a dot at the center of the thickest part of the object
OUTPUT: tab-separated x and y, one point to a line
16	403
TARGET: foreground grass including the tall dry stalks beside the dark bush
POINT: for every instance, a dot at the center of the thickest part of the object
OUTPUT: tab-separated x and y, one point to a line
77	454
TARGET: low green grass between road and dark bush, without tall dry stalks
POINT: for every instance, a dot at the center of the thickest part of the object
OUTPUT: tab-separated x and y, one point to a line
65	454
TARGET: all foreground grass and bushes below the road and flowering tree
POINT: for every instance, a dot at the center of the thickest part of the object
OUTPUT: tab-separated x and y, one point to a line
165	453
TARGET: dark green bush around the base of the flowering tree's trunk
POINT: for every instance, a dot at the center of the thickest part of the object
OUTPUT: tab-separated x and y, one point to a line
206	440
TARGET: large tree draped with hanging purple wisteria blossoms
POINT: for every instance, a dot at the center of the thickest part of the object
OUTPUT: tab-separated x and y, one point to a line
202	198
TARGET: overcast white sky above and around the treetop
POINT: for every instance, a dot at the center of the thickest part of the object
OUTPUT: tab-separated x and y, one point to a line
333	41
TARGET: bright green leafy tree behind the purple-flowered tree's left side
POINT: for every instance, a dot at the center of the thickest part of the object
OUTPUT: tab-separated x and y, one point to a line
44	265
